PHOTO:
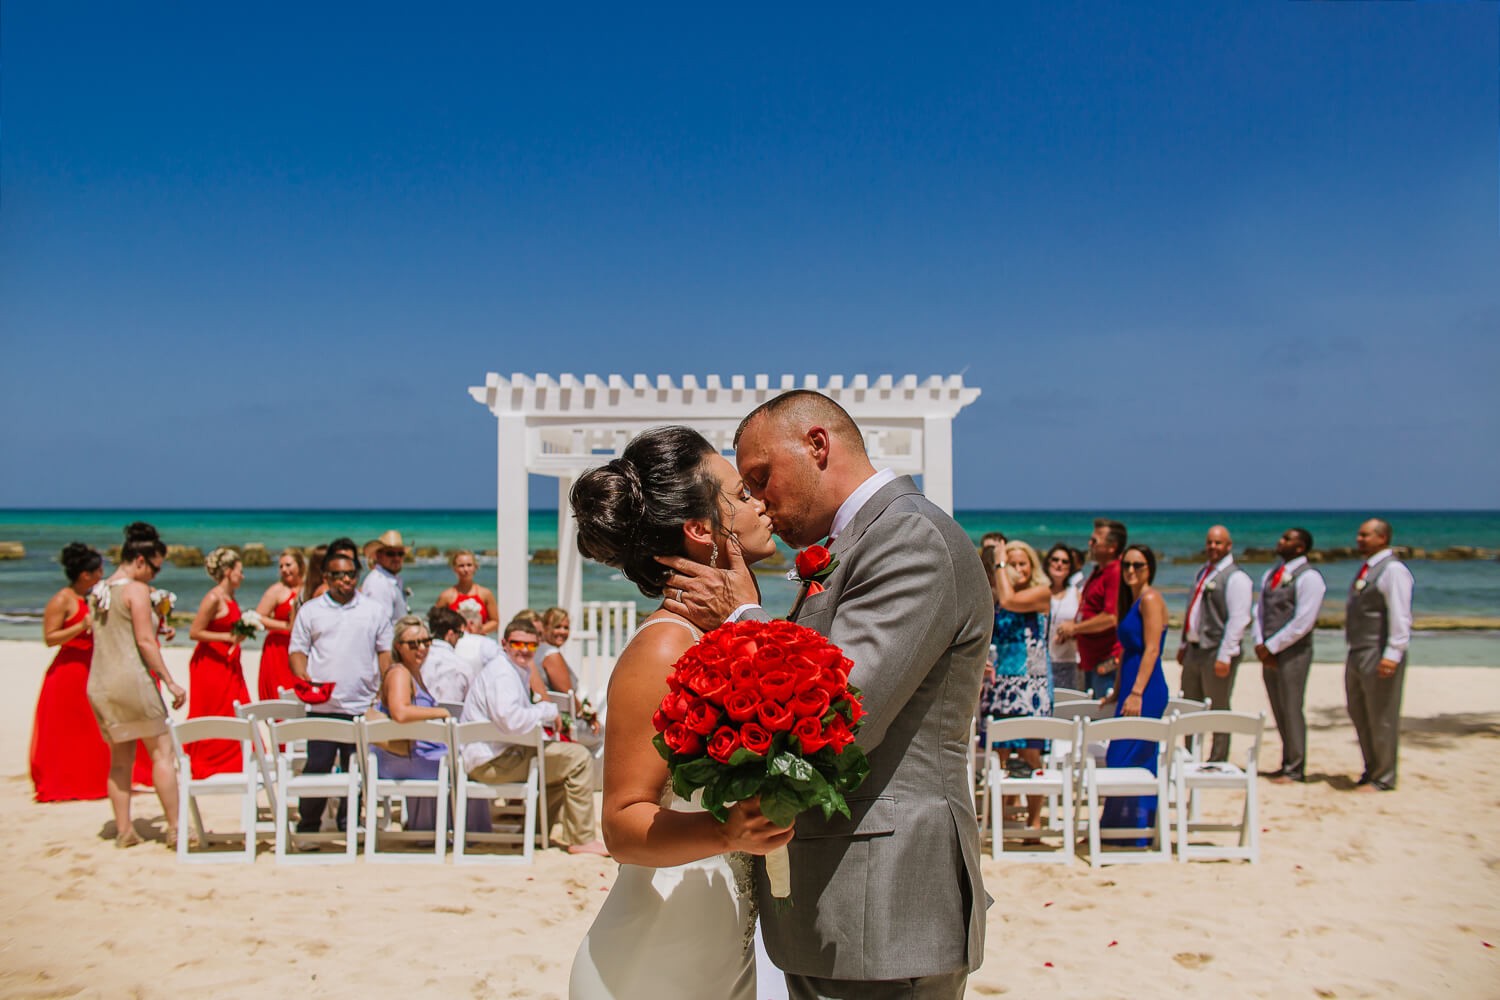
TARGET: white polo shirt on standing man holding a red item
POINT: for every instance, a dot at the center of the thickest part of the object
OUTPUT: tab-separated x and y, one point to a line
343	644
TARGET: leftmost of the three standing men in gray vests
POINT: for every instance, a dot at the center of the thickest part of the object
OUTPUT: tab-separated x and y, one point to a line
1213	629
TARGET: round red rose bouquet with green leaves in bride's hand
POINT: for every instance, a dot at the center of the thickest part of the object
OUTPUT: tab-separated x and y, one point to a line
763	710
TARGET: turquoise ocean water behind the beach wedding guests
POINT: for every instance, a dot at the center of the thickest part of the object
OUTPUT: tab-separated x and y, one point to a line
1442	588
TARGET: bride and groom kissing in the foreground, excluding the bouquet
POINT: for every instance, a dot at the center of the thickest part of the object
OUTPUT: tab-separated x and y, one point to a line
887	903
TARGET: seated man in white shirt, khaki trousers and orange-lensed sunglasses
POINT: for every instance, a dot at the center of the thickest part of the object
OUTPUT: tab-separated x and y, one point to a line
500	696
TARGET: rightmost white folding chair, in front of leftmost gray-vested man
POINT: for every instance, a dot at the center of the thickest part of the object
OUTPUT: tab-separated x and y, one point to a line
1192	776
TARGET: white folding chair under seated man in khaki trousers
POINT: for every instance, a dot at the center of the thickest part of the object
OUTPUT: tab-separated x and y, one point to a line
532	792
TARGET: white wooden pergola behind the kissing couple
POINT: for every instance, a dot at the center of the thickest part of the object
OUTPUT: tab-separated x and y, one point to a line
565	427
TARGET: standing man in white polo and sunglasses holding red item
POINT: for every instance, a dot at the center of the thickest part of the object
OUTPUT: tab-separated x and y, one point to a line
341	638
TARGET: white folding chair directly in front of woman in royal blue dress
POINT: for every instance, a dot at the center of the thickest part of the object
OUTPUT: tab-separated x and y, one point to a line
1102	782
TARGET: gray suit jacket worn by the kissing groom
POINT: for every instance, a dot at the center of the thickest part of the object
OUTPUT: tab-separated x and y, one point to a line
896	893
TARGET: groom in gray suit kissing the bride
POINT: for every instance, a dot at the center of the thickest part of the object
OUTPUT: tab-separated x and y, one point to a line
890	903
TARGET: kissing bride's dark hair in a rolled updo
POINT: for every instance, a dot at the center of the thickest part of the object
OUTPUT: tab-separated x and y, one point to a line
632	510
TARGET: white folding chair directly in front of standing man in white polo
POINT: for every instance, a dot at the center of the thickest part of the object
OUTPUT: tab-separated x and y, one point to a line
320	786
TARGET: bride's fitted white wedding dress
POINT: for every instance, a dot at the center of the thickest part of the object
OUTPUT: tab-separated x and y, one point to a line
665	933
